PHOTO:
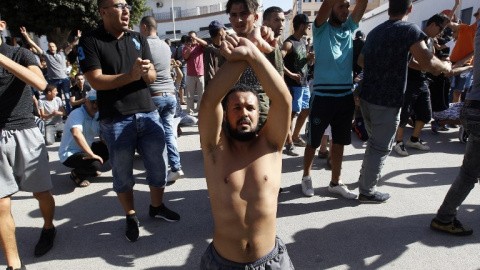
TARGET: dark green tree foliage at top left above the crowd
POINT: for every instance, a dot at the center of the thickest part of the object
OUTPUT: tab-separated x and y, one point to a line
58	18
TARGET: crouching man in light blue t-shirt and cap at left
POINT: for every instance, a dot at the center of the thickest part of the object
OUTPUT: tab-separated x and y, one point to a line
78	150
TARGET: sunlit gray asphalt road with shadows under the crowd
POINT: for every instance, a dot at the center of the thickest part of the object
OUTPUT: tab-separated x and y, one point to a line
321	232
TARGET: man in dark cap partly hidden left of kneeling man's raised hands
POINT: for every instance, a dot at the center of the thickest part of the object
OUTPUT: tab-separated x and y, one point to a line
212	59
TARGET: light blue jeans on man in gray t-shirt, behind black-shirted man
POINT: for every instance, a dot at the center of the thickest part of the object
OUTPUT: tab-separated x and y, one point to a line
166	105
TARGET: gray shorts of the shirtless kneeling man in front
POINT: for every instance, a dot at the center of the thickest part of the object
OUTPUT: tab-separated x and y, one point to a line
277	259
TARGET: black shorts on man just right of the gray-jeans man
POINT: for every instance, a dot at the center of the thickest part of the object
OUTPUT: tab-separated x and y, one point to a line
417	101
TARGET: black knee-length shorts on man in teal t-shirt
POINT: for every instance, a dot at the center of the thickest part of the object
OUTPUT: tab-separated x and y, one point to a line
334	111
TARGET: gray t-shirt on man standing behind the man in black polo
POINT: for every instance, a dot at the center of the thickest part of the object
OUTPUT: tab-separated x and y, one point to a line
161	59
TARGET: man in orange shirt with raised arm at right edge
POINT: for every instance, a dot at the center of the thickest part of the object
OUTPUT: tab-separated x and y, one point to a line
462	52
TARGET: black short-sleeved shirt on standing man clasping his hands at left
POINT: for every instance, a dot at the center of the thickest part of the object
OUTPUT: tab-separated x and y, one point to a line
100	50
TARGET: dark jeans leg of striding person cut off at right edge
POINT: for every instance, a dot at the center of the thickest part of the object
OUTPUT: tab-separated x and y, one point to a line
470	170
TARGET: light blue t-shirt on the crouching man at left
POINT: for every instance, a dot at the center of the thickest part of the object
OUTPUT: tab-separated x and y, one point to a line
90	127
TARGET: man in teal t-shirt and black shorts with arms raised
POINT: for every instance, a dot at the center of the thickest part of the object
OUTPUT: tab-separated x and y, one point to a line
332	98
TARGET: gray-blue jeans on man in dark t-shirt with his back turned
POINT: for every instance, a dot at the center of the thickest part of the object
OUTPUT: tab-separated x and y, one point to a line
381	123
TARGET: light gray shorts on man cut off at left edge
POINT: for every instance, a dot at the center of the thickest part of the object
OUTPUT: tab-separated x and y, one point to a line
23	162
